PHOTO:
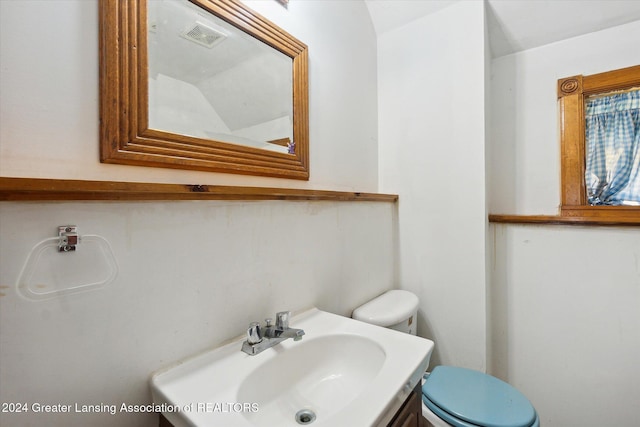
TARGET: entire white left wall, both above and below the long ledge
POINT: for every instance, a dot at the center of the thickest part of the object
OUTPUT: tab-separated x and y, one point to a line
191	274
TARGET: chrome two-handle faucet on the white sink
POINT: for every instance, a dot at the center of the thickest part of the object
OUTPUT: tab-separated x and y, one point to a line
259	339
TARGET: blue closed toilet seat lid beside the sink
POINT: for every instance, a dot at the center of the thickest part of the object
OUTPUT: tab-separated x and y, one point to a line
477	398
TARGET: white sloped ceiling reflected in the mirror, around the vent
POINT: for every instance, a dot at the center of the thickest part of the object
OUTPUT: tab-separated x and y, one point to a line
245	81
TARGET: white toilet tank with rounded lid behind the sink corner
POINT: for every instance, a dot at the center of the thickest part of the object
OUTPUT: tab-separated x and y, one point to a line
395	309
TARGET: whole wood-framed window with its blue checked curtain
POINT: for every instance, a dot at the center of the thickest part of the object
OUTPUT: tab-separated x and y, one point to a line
600	179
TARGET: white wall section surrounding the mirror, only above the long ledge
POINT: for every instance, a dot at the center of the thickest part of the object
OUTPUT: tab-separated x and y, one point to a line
49	83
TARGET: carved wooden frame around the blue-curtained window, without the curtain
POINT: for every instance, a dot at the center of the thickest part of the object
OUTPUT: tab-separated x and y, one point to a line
572	92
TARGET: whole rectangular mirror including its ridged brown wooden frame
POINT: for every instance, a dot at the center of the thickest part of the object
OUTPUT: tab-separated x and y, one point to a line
138	128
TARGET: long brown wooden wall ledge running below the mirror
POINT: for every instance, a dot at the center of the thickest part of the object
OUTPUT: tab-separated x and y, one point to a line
34	189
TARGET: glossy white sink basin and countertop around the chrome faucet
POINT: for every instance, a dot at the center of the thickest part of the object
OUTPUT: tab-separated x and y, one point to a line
346	372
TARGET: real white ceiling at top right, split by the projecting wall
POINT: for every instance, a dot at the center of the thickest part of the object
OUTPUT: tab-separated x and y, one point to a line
516	25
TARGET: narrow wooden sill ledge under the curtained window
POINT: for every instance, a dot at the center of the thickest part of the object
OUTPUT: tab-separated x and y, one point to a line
578	215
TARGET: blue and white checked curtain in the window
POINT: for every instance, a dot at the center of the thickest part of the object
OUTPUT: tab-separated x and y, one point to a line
612	172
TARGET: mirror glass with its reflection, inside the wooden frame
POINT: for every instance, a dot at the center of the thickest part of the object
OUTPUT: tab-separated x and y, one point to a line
209	80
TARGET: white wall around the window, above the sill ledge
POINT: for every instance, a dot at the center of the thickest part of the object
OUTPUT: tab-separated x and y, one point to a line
525	172
